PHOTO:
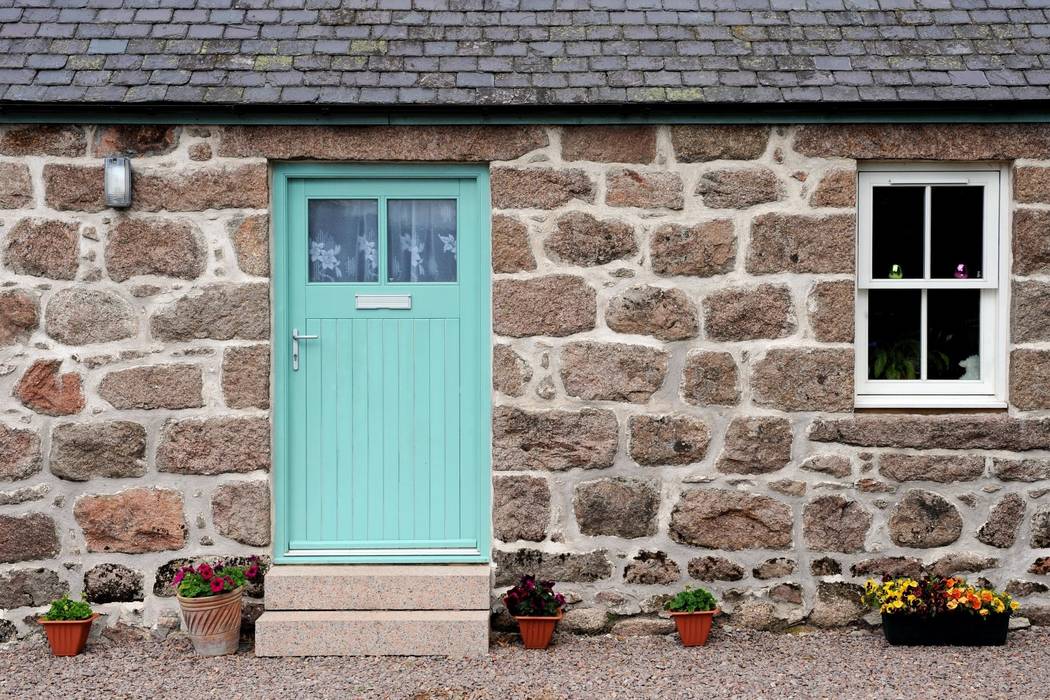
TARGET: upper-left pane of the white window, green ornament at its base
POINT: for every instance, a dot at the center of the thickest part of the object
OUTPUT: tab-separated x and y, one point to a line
897	232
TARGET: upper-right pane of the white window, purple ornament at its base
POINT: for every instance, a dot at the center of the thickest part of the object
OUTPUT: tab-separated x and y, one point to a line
957	227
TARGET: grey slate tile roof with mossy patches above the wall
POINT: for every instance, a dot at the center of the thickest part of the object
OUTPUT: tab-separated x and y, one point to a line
395	53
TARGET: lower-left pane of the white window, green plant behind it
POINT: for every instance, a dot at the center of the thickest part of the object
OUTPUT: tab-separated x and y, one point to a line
895	320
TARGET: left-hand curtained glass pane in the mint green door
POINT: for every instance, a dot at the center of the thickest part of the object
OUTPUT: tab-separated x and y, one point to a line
344	236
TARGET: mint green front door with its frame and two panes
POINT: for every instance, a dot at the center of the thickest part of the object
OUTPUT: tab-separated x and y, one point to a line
382	356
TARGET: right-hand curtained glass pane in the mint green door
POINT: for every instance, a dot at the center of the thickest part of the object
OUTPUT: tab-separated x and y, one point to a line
422	240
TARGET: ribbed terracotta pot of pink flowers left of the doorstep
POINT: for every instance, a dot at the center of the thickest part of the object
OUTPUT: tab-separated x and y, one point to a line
209	598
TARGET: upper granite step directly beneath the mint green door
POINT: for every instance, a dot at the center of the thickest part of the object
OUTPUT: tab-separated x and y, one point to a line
379	587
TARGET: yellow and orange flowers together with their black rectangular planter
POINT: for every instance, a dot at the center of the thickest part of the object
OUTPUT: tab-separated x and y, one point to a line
932	610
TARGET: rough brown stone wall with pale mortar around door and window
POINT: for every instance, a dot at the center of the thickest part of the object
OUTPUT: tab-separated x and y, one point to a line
673	368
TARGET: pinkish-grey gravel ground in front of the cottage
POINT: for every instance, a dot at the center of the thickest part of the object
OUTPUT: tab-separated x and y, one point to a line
736	665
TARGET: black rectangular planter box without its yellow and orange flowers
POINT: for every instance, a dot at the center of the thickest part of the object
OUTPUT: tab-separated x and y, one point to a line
951	629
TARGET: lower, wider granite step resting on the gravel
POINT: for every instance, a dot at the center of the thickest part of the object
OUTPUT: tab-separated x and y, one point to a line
372	633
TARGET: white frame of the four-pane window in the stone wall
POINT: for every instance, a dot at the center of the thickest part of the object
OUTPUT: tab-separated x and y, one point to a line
990	392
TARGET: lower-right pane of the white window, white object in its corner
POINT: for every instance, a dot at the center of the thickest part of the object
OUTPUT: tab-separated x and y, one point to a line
954	341
